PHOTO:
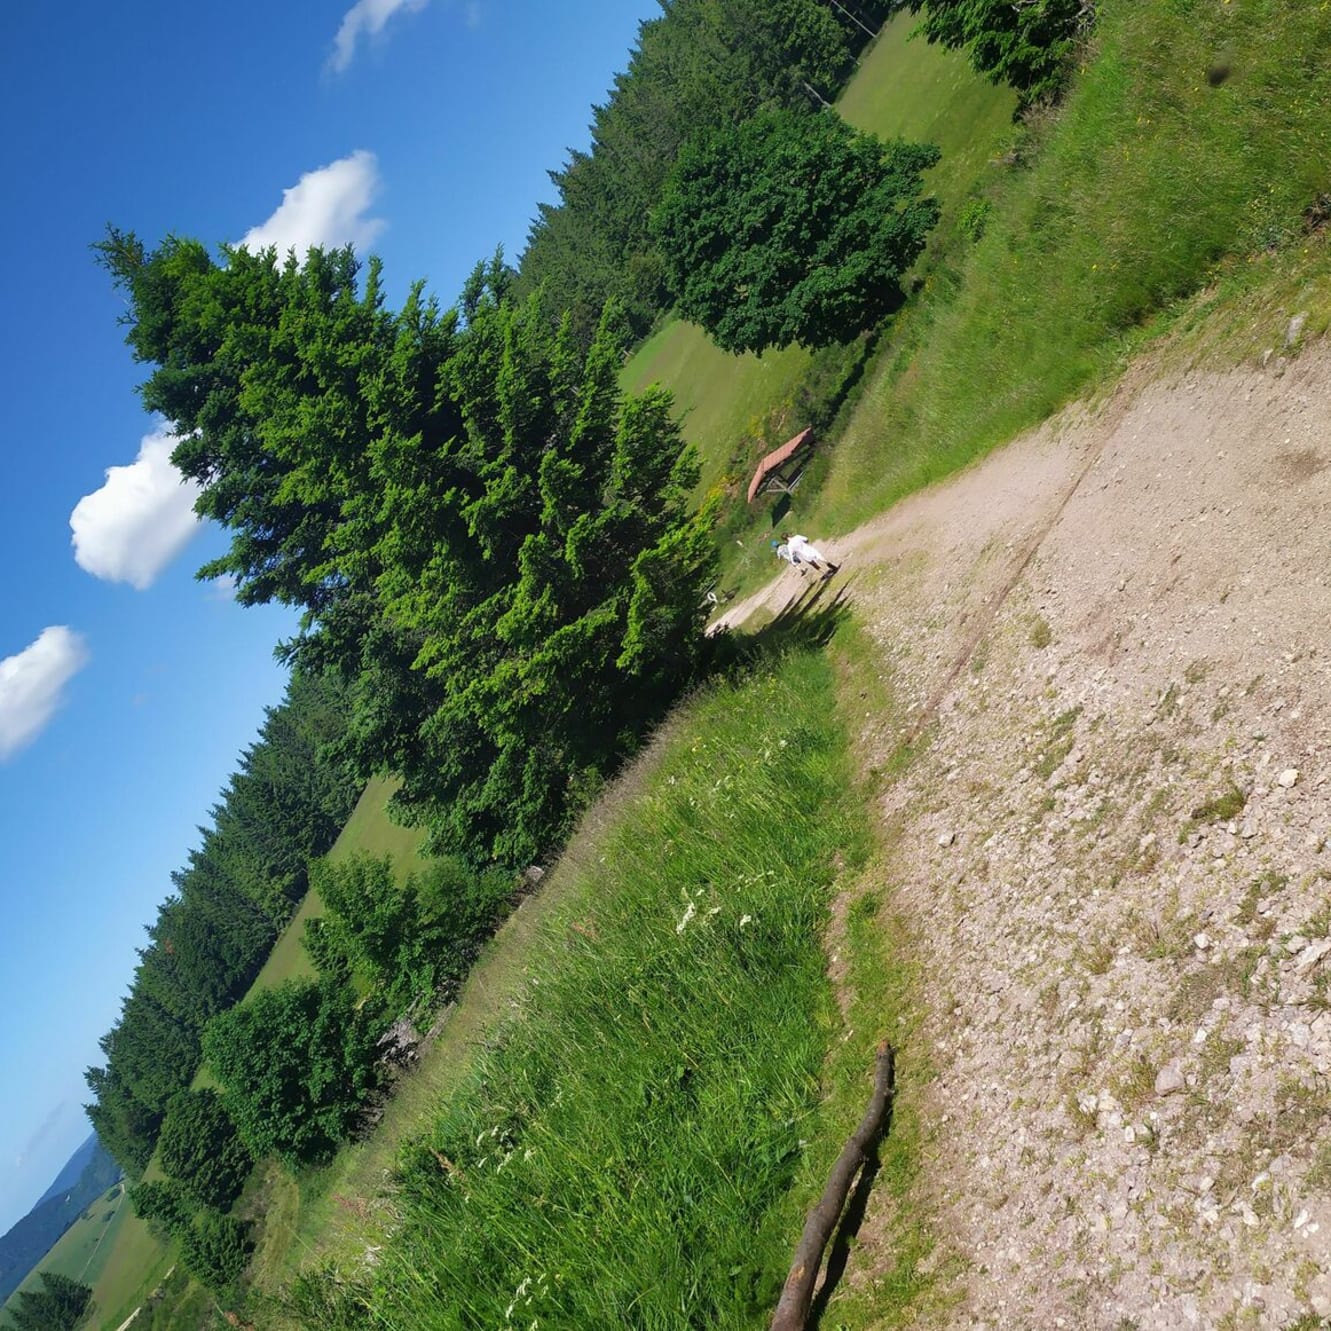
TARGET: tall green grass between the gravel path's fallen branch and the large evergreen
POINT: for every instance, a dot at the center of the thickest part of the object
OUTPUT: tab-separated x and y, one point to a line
624	1153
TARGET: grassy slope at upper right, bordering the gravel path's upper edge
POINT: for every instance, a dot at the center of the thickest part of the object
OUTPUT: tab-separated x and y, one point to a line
1196	136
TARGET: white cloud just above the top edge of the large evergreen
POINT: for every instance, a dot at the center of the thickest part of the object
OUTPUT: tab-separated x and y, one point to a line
325	208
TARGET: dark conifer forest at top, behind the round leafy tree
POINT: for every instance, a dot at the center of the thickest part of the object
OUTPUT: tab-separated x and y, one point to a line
703	66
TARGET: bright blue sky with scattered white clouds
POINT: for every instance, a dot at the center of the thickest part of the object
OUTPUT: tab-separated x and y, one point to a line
421	130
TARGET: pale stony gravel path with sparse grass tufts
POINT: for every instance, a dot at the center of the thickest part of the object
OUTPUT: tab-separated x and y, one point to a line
1115	636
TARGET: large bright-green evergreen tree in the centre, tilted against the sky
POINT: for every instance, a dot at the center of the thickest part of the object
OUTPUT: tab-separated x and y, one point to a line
485	538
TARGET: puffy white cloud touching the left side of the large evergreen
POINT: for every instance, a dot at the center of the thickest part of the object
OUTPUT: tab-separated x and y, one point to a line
139	521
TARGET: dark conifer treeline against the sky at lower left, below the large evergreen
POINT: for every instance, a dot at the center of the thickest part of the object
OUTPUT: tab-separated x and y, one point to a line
287	802
